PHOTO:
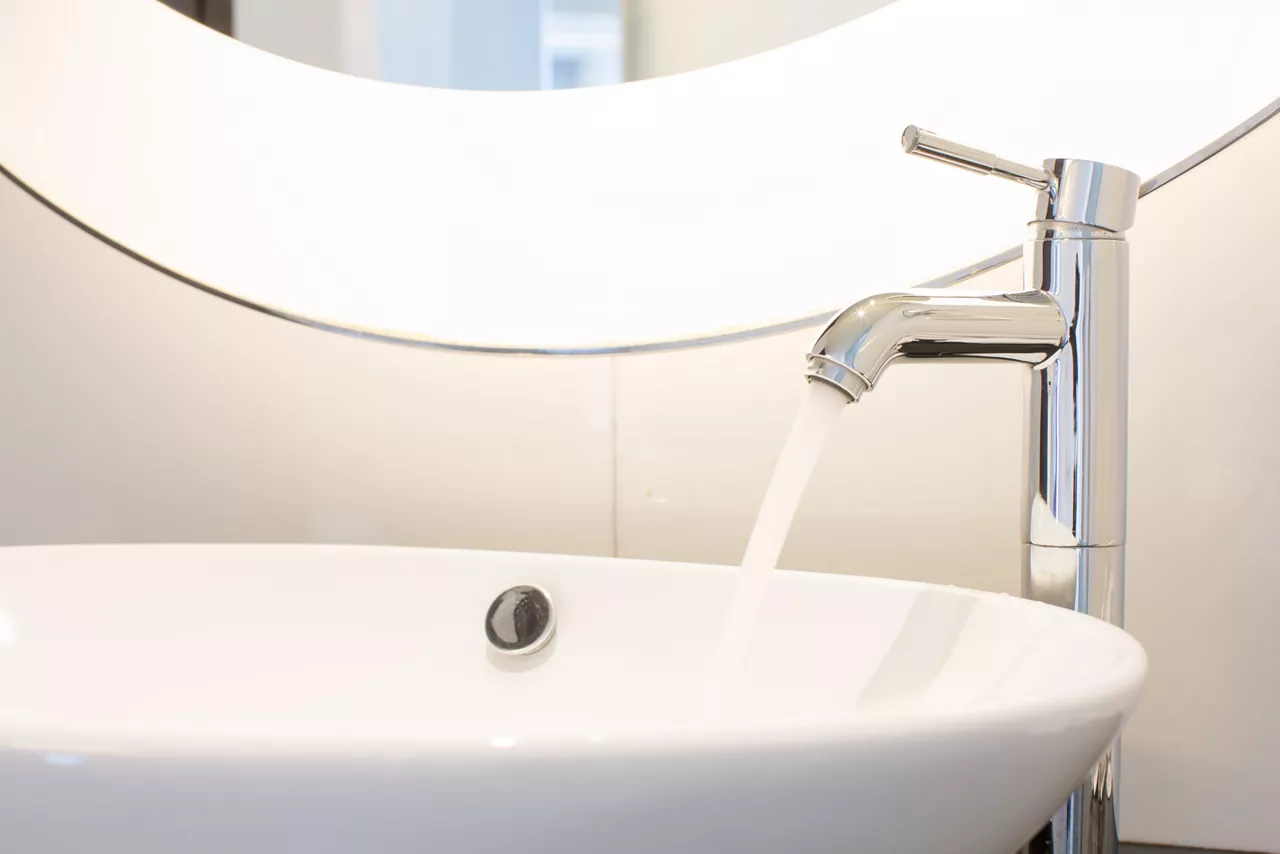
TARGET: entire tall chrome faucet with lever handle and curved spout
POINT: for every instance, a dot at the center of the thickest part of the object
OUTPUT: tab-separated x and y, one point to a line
1071	326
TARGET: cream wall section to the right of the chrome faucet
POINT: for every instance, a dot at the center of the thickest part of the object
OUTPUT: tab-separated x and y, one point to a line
1204	750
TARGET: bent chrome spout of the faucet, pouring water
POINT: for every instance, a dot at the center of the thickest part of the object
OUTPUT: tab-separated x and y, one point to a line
863	340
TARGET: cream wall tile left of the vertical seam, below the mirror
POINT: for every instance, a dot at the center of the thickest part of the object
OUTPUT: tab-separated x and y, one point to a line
136	409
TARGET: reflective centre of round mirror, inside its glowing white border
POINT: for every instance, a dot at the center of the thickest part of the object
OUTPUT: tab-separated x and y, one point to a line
519	44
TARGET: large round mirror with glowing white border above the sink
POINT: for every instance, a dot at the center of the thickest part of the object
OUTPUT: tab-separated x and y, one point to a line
743	198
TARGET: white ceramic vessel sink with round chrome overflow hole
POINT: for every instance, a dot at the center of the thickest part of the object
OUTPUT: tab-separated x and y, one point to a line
171	700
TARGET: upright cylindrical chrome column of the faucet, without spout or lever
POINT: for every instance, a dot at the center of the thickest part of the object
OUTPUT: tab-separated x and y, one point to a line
1078	437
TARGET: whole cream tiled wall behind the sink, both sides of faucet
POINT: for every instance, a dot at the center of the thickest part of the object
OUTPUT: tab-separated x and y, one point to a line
136	409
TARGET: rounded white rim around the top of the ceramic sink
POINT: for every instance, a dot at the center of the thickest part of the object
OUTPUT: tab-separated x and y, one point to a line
1113	693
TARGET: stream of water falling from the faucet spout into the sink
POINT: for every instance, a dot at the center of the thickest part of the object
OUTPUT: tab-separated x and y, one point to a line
810	435
